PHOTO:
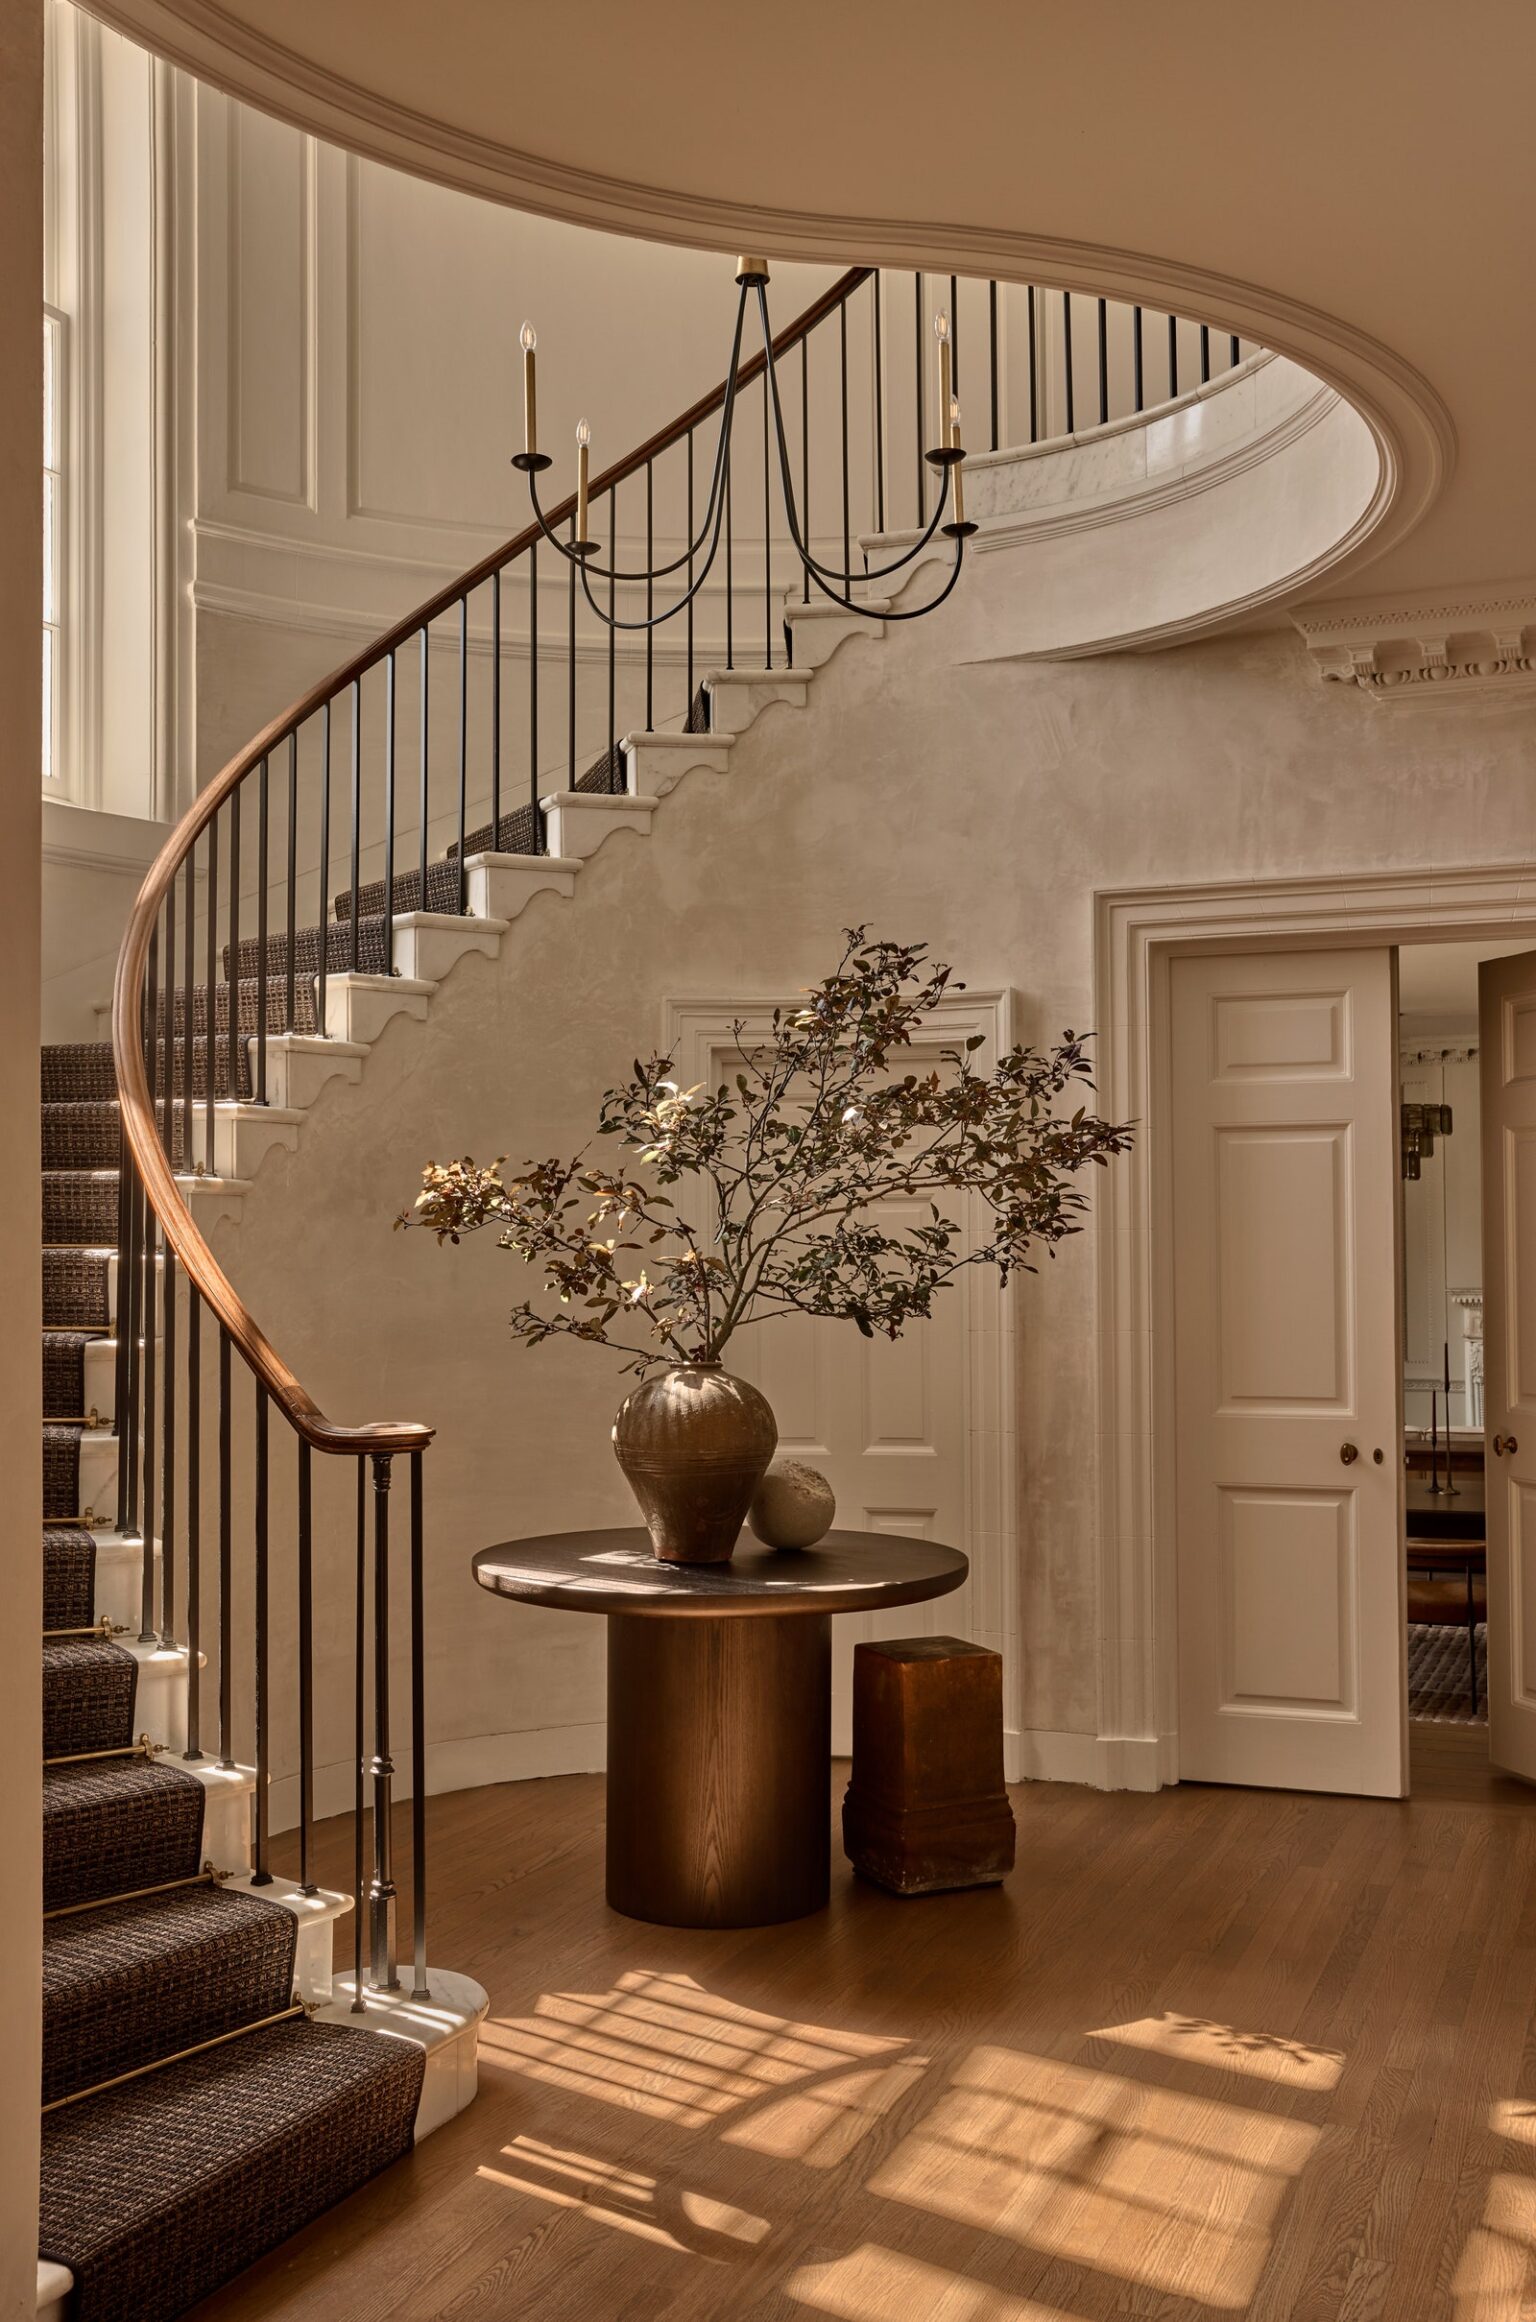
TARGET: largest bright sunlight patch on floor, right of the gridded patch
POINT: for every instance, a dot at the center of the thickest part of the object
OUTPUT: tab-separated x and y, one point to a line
1172	2193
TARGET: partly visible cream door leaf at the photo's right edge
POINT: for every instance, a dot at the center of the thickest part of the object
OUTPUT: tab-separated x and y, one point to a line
1507	1055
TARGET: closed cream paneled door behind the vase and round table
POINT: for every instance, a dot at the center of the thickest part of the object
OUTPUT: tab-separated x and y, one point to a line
884	1420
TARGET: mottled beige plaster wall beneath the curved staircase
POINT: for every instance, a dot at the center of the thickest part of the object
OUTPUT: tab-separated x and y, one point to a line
977	807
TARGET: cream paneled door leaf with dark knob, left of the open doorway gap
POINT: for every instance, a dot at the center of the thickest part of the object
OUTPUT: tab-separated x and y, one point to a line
1286	1357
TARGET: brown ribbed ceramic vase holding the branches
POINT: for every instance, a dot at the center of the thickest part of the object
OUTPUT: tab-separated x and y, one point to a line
694	1445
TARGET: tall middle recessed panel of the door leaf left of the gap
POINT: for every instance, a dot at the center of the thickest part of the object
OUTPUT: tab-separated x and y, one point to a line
1284	1274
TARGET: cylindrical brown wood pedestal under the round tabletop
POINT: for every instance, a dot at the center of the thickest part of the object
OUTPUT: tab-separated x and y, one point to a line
719	1768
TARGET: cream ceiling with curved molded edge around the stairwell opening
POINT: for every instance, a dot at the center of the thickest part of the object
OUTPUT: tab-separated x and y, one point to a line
1351	185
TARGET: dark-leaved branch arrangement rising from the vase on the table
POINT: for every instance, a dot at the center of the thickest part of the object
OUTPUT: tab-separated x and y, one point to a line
784	1174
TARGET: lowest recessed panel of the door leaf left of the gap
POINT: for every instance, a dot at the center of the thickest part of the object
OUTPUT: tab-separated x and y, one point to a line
1289	1555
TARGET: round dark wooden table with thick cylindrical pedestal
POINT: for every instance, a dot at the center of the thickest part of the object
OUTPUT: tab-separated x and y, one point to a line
719	1706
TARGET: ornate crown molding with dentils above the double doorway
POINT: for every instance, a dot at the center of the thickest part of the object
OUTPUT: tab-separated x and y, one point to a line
1479	642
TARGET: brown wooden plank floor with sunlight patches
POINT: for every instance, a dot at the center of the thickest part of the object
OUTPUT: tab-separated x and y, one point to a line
1207	2054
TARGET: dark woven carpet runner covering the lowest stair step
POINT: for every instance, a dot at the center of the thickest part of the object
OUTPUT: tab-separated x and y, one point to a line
259	2135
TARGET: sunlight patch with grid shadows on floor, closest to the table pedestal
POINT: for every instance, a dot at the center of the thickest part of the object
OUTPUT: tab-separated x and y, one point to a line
668	2047
